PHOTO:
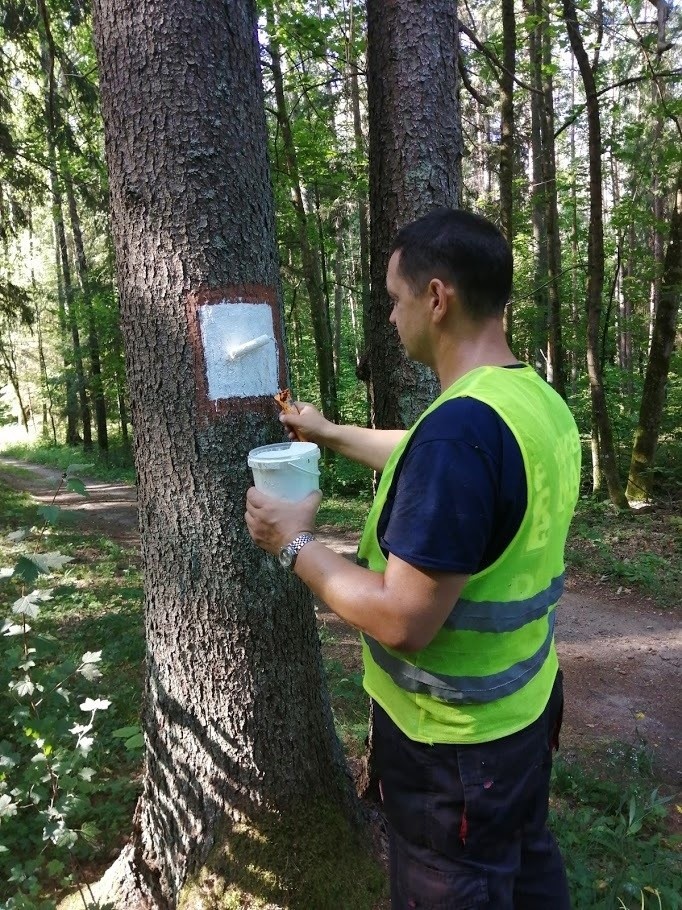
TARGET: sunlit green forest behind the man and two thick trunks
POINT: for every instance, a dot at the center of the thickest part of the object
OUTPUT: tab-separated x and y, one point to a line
571	144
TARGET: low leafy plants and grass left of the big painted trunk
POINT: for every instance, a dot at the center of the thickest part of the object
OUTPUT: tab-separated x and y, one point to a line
60	803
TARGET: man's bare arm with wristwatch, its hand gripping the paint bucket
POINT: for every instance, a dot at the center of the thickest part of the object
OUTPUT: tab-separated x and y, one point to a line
403	607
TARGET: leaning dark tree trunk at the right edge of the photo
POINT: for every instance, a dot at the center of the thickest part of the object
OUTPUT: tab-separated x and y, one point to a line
640	479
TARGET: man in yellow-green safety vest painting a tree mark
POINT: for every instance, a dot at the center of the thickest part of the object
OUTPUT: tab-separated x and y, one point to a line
459	570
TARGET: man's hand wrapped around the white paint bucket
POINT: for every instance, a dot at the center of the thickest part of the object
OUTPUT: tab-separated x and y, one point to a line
273	523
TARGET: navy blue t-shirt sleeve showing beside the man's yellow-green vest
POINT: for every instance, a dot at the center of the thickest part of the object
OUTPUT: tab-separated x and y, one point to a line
459	494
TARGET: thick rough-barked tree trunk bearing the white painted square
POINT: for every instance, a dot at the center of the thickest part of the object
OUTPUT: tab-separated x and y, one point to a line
240	743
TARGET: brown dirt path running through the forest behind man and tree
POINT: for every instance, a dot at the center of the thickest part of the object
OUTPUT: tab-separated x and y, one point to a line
621	655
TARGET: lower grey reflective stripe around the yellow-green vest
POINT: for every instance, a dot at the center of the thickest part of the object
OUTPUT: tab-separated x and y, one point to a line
461	689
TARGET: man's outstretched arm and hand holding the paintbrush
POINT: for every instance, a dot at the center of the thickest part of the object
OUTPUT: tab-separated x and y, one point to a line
369	447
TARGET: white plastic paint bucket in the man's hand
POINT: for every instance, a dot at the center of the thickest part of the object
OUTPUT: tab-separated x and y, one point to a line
287	470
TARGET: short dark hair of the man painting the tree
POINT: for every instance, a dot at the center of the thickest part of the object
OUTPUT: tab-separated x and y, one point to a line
462	248
